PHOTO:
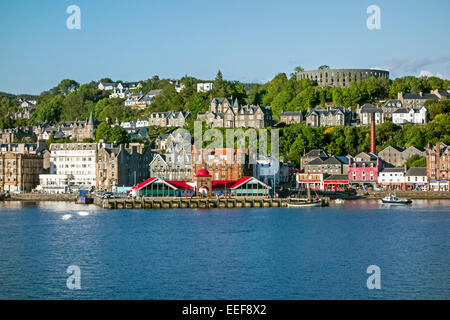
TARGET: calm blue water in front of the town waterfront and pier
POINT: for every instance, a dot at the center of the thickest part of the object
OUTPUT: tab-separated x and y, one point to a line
315	253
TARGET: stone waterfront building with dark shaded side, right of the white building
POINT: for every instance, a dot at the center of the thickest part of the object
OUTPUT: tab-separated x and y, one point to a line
121	166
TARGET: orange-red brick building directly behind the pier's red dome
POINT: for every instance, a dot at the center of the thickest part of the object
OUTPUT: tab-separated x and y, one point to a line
223	164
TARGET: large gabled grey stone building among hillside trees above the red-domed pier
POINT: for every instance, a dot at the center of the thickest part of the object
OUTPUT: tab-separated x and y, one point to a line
224	113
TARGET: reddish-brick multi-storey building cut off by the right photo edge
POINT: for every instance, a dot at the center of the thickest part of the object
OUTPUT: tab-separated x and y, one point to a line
438	167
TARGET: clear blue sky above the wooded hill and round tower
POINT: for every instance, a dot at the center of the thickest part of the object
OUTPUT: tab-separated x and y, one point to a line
247	40
